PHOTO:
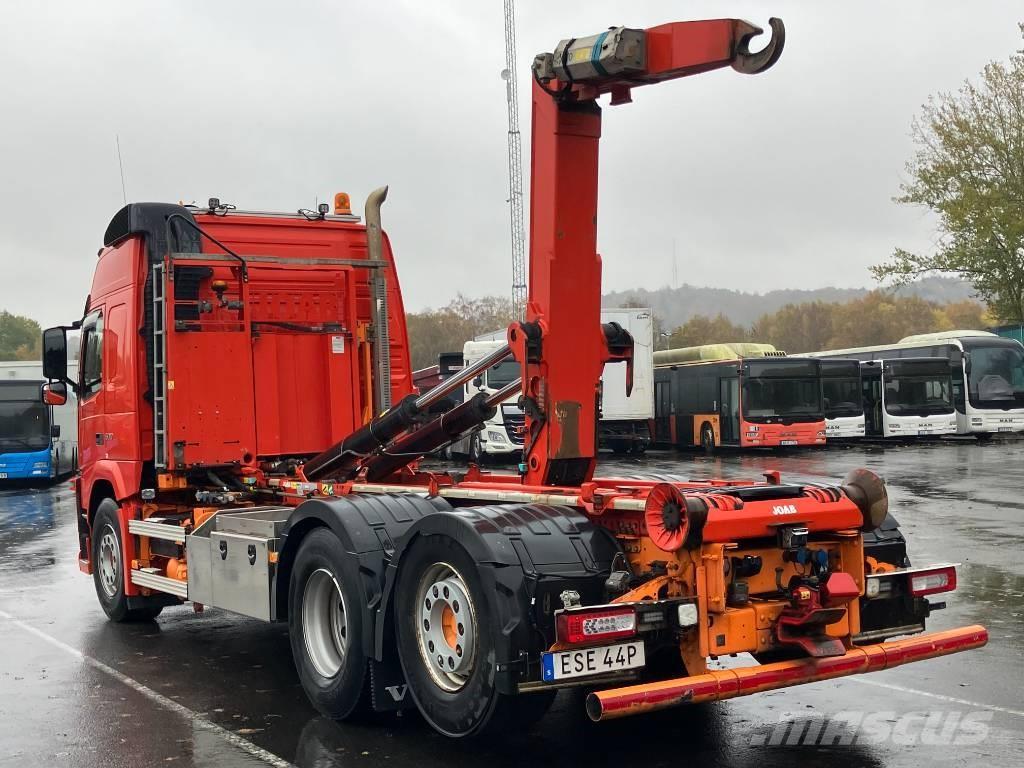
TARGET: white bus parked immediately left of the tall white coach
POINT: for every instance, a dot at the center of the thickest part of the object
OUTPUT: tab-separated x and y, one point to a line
909	398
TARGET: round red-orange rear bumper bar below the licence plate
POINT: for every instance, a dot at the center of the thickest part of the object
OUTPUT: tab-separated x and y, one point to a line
634	700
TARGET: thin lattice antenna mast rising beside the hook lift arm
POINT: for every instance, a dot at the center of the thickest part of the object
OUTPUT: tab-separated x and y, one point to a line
517	215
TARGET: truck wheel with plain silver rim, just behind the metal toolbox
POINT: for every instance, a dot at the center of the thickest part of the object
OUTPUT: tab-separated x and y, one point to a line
325	626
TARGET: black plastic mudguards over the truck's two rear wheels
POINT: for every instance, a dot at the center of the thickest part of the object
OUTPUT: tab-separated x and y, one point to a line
528	556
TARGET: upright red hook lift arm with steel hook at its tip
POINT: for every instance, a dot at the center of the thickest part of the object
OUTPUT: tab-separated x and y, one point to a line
562	346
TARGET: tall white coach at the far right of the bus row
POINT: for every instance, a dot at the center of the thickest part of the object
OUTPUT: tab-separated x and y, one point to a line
988	375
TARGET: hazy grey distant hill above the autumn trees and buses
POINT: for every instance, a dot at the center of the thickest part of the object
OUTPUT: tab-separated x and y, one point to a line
675	307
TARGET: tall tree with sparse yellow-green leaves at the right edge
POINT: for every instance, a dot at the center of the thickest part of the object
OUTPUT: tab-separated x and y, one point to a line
969	169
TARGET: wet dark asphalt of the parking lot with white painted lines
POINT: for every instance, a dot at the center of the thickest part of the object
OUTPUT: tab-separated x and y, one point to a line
217	690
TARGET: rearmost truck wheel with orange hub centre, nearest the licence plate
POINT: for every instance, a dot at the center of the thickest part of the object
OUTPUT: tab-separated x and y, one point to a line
444	624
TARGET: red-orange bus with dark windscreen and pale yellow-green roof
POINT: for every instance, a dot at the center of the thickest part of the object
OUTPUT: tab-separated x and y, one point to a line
761	402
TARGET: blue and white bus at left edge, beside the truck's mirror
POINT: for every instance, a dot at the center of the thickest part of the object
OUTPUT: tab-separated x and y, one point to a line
37	443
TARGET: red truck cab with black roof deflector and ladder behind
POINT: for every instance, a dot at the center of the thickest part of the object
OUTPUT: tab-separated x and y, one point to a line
253	348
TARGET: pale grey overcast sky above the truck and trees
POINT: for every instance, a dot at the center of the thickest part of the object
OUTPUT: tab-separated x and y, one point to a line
780	181
